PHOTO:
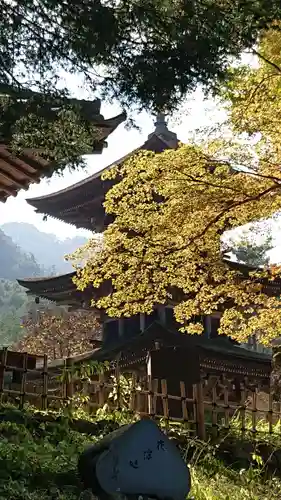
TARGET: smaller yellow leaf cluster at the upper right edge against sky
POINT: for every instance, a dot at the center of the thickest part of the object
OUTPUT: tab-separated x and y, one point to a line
252	97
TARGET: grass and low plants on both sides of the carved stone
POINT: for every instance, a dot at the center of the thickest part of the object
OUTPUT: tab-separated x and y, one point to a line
38	461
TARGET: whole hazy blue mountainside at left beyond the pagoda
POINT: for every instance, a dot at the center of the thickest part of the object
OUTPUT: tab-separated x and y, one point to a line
26	252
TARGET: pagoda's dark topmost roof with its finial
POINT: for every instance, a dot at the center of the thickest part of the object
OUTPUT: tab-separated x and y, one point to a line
82	203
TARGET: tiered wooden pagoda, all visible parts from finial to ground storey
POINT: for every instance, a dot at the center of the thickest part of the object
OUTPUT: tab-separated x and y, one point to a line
82	206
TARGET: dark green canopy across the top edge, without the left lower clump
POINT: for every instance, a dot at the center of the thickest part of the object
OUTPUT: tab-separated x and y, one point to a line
149	52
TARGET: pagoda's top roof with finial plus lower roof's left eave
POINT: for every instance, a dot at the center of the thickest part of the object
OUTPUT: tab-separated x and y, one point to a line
81	205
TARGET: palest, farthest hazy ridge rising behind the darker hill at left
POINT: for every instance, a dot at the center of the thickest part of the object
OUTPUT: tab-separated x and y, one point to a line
47	249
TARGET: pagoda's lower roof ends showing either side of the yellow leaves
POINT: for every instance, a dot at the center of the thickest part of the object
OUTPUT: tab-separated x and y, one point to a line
62	290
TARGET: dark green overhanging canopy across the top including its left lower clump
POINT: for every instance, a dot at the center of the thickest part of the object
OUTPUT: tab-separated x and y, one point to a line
145	53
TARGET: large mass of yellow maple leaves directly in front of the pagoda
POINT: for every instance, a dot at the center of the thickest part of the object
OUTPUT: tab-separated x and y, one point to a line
170	211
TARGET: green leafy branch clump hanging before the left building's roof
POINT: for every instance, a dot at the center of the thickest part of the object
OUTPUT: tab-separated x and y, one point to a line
61	130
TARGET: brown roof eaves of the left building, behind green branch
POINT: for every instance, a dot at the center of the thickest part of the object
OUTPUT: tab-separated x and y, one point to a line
18	171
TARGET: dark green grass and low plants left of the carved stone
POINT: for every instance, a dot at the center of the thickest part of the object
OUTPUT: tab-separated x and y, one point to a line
39	463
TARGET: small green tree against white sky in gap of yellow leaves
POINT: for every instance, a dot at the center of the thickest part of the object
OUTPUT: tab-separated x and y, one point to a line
248	250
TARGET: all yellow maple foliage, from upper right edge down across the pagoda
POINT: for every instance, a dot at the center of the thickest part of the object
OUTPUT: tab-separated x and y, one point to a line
171	209
